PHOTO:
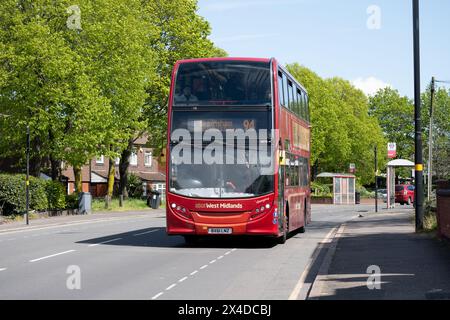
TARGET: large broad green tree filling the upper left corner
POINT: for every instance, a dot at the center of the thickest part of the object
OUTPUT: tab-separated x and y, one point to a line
47	87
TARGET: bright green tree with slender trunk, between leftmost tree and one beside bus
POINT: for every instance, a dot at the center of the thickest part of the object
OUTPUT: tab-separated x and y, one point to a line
115	42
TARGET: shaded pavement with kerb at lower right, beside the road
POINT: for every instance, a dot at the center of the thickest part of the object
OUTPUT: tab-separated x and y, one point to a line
406	265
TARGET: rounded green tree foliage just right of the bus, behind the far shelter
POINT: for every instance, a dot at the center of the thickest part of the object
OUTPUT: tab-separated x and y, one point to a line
343	132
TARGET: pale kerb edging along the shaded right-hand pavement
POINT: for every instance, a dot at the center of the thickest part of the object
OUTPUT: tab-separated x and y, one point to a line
320	280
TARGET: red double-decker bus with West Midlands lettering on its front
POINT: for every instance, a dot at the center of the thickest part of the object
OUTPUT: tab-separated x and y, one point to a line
238	149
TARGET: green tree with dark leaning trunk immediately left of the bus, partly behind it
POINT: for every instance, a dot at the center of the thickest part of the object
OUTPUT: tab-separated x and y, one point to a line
180	34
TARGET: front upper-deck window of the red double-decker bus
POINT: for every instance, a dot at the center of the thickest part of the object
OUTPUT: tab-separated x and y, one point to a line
223	83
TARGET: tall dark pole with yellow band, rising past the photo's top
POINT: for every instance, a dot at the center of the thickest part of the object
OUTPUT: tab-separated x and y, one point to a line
418	125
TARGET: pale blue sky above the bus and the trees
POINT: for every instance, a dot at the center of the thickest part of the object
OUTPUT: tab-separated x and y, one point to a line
333	38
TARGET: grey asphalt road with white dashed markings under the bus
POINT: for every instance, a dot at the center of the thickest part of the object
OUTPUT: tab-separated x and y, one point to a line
133	258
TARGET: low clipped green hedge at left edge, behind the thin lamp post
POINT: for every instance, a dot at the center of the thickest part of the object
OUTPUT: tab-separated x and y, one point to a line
44	195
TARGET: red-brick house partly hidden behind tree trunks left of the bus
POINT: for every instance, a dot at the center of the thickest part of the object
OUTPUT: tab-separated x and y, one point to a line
143	163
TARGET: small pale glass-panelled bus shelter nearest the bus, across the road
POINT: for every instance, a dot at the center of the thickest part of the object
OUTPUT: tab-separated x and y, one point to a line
343	187
